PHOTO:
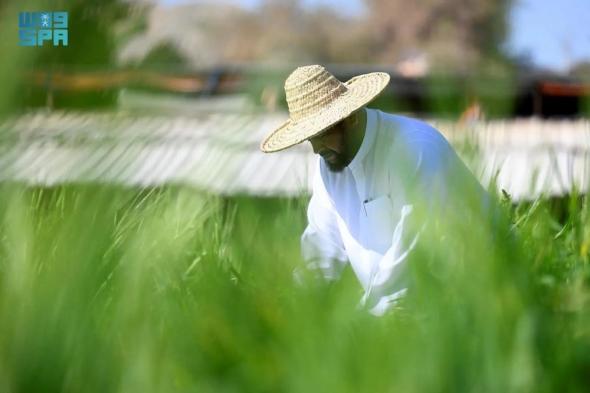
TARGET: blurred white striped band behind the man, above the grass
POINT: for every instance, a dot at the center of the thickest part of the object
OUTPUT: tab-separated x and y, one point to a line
219	152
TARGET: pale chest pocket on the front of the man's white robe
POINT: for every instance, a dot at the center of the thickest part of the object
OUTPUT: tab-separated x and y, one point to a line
377	223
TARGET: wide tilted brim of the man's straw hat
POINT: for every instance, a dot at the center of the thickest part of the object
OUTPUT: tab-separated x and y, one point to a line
361	90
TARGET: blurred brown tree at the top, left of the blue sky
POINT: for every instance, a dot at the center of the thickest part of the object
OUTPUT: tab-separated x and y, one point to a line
455	34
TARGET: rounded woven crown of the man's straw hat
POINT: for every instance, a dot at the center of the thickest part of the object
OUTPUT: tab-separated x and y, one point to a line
310	89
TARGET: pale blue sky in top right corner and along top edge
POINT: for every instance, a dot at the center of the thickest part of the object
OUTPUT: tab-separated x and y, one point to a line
554	34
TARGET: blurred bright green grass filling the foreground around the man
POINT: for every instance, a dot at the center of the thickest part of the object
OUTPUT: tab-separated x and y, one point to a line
110	289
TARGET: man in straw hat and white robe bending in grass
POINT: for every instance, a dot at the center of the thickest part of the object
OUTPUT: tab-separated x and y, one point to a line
374	169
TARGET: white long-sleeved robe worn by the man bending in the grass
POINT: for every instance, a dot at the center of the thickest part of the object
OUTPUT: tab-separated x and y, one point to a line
358	216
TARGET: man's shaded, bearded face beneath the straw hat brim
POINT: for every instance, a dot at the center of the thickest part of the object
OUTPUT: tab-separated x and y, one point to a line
331	145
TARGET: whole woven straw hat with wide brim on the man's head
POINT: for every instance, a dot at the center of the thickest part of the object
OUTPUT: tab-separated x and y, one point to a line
317	100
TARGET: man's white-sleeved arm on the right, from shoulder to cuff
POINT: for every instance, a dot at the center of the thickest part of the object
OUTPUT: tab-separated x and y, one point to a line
427	165
